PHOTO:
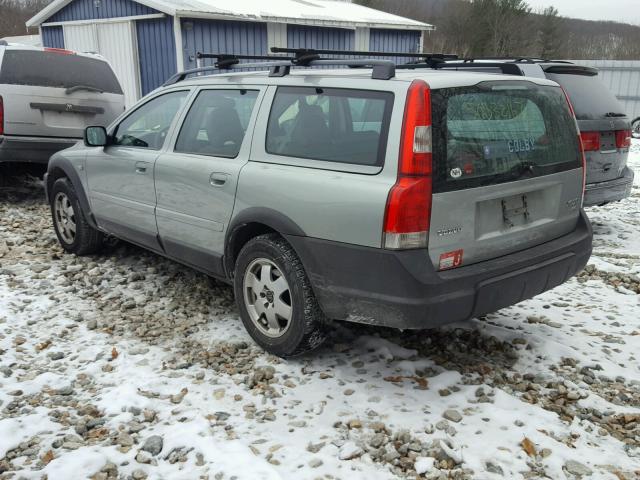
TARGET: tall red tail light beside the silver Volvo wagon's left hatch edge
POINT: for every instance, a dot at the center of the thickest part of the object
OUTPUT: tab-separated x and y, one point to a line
408	211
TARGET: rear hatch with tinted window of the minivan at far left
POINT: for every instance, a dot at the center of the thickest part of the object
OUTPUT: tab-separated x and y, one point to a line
54	94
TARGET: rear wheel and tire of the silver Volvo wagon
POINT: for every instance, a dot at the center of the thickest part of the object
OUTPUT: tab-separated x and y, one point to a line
263	299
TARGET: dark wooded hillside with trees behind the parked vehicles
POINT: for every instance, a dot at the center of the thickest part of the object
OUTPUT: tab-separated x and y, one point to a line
477	28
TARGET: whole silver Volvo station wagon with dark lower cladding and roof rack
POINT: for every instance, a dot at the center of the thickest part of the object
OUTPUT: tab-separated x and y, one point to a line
400	198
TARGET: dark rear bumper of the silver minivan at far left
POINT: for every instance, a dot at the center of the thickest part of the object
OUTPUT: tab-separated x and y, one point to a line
32	149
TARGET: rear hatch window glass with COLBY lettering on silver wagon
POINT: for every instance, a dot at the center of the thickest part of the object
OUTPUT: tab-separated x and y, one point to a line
495	133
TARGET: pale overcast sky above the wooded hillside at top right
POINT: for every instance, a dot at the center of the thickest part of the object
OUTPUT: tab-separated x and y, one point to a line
619	10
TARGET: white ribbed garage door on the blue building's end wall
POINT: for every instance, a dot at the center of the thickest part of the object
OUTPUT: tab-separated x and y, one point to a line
114	41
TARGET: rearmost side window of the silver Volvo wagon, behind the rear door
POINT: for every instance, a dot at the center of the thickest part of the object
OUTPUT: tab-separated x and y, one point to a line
333	125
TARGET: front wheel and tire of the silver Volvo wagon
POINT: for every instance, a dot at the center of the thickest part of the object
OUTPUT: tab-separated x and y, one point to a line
67	215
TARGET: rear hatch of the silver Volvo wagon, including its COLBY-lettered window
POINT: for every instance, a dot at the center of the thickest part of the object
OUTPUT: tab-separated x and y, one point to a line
507	170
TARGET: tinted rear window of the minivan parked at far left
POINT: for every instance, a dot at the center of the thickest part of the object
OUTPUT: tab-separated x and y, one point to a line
50	69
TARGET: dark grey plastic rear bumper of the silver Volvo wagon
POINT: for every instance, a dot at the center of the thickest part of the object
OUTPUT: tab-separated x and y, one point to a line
403	289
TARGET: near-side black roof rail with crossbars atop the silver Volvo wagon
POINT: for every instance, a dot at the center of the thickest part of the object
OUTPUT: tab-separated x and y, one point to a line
280	66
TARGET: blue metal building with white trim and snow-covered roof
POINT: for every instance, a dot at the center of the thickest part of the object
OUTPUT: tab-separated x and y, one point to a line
147	41
